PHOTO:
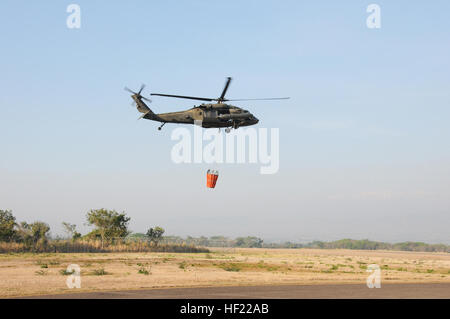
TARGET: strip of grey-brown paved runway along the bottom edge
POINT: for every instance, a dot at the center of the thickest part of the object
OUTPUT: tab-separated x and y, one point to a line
360	291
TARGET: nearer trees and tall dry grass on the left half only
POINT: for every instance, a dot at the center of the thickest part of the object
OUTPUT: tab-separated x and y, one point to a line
110	234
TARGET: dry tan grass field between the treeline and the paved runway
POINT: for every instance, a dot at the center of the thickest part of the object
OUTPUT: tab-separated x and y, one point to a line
35	274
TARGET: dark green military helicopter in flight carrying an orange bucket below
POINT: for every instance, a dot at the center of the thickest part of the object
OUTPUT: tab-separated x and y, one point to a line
211	115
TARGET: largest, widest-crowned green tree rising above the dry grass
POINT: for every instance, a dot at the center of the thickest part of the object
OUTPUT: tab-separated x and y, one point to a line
108	223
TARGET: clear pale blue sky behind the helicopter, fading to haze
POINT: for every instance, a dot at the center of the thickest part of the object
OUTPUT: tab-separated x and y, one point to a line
364	139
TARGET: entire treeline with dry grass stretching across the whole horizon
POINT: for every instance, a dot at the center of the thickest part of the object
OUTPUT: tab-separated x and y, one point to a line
111	234
